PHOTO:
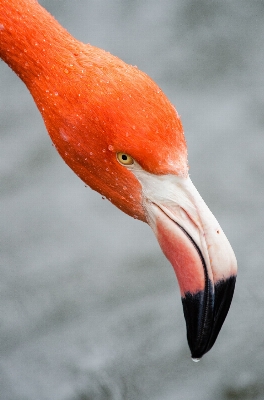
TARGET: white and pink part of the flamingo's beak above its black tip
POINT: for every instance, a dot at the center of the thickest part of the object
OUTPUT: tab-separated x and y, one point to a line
175	208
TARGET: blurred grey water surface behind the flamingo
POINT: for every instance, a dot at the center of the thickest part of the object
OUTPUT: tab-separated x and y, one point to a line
89	307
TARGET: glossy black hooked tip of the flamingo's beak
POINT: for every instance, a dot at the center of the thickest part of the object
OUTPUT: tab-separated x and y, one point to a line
205	313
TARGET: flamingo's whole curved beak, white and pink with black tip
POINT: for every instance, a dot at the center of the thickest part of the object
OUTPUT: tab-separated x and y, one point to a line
197	248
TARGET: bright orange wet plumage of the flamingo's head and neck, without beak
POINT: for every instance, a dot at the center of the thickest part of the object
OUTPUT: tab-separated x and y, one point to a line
93	104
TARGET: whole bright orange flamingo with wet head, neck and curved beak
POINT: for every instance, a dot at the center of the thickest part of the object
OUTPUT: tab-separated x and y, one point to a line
116	129
